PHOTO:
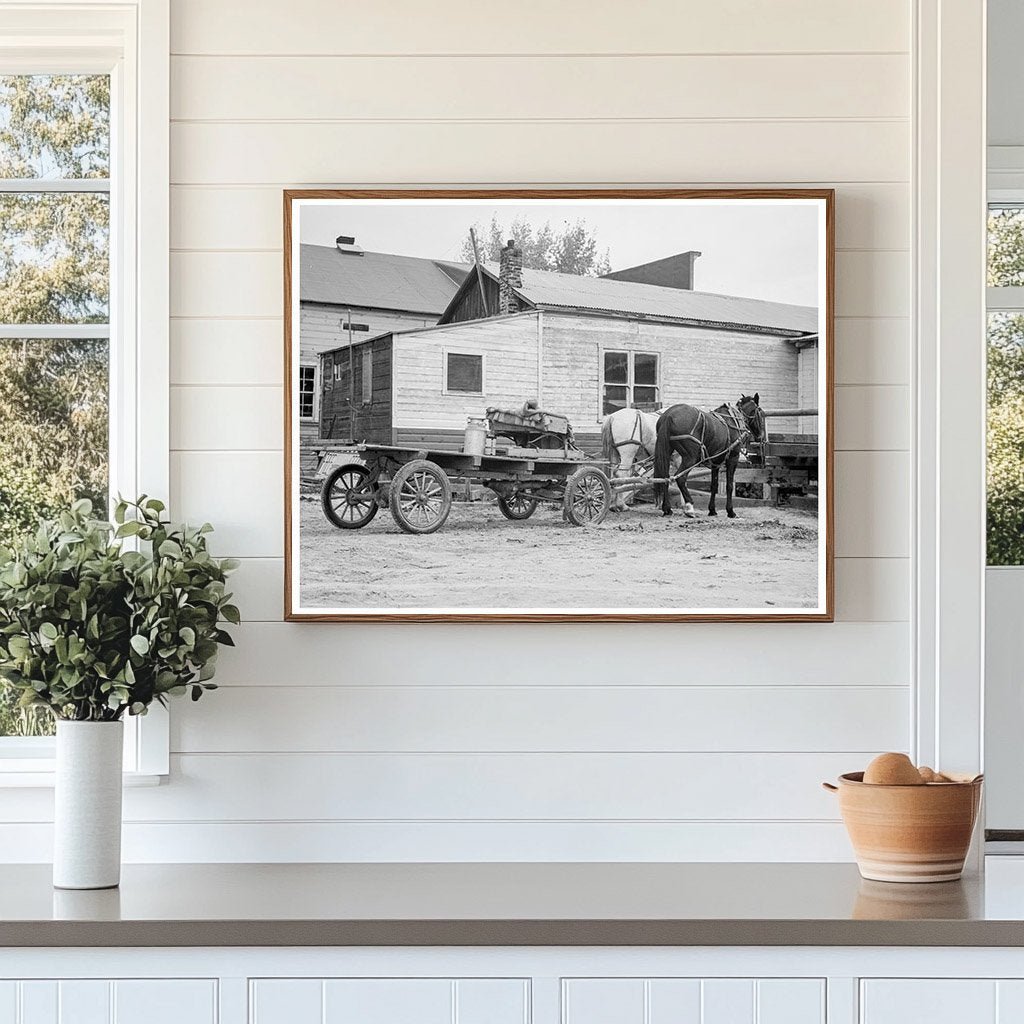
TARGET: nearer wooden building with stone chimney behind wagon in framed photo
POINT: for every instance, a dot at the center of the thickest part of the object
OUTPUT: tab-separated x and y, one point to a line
581	347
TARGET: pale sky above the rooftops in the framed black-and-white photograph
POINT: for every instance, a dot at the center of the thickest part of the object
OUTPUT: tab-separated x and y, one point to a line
766	251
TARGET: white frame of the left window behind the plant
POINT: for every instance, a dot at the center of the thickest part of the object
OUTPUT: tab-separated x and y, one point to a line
132	44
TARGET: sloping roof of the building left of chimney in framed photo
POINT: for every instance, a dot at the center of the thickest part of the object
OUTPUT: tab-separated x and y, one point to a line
377	281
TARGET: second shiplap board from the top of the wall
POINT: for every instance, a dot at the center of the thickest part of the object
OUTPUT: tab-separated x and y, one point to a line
369	89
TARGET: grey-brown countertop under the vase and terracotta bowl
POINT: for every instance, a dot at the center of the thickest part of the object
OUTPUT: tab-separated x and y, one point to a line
490	905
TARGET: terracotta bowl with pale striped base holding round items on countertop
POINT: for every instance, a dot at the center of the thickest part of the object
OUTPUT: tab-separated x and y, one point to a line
910	833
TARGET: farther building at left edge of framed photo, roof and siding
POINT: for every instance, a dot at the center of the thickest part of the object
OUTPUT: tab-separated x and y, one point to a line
346	292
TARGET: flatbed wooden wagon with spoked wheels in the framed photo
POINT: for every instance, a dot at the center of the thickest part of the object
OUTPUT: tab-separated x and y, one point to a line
527	458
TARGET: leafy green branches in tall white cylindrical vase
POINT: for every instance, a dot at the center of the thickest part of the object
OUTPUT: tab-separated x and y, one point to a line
98	621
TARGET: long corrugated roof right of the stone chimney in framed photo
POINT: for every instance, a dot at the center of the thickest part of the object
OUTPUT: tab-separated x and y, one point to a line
547	289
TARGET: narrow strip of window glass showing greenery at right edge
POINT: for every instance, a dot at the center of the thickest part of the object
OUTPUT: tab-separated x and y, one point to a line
1006	387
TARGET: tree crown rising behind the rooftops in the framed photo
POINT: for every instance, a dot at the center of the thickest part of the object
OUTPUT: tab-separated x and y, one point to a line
572	250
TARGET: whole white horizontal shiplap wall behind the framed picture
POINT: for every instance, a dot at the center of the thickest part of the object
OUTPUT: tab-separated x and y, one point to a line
579	742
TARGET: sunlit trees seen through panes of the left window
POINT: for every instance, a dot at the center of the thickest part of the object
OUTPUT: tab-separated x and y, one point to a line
54	270
